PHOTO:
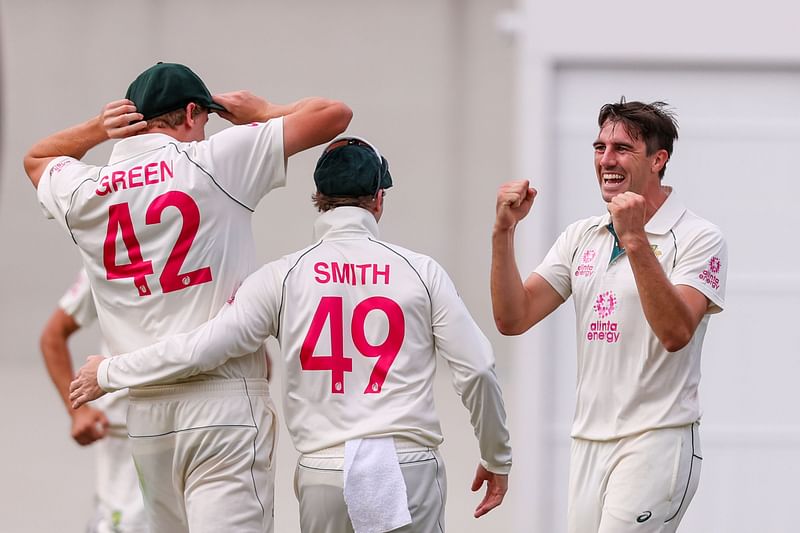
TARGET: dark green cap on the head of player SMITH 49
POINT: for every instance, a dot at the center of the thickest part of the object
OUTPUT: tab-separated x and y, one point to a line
351	170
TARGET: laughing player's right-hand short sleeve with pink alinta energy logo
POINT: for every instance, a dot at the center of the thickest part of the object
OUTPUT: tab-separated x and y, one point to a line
702	263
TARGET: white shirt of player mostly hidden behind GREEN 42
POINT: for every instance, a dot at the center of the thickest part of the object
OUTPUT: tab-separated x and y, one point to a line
78	303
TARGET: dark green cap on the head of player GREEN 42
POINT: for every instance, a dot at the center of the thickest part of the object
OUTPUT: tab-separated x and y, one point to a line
165	87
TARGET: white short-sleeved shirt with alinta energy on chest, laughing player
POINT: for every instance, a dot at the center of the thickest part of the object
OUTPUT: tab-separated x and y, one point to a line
627	382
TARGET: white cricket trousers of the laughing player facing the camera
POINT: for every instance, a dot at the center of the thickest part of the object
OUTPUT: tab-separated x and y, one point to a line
638	484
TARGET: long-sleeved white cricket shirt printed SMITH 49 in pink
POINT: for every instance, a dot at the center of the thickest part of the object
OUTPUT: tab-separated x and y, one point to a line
359	322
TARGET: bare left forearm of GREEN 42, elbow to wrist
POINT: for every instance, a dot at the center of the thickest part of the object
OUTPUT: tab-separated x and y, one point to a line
72	142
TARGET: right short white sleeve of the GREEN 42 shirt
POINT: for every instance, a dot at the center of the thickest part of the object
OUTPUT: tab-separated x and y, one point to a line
247	161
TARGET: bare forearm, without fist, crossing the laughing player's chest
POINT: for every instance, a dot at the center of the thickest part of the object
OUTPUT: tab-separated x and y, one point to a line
666	312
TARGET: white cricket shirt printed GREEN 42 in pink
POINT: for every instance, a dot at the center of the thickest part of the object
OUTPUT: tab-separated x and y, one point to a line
165	229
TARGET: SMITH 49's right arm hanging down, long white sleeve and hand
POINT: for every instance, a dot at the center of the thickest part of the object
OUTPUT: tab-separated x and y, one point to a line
471	359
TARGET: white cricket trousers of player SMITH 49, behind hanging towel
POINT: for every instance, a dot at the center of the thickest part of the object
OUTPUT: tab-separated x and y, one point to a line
319	487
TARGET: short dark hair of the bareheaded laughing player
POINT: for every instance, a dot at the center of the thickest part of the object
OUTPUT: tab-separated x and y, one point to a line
654	123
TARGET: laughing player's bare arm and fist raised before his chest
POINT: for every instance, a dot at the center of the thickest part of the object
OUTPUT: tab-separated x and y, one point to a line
672	311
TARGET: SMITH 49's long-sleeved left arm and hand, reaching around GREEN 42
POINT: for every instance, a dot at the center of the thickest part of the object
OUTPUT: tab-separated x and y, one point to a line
240	328
